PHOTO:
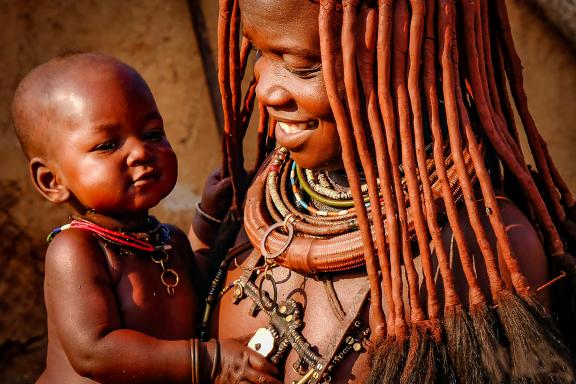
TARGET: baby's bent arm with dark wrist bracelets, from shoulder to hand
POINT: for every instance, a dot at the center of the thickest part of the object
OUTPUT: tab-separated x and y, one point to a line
83	311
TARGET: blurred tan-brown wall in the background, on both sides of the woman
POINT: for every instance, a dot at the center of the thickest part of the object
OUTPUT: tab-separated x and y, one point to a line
157	38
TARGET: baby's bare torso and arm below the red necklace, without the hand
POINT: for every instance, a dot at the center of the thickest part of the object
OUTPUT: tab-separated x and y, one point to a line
110	317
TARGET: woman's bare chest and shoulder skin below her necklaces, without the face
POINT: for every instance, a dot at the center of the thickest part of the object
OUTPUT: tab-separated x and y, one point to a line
320	321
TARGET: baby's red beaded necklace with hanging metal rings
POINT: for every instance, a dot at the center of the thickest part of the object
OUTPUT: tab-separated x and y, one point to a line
155	243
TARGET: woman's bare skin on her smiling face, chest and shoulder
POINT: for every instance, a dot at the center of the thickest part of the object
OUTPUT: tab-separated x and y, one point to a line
292	89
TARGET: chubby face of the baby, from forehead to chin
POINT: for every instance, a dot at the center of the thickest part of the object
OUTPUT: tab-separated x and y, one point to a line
111	148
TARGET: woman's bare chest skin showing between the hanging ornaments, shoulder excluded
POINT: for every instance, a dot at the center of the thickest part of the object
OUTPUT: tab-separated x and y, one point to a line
321	321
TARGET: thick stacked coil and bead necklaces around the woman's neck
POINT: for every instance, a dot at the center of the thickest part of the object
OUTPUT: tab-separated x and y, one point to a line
280	213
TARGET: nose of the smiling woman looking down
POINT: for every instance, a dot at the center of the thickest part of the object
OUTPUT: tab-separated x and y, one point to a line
270	91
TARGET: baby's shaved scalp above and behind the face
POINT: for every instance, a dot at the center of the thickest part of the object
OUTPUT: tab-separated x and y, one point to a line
35	106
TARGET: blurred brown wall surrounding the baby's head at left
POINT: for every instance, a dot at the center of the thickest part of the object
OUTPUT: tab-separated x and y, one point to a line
155	37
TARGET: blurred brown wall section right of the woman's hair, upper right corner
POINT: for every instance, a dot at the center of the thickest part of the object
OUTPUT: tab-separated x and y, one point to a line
549	61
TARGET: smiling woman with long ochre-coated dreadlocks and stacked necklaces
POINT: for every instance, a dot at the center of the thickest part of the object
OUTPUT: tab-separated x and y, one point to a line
378	223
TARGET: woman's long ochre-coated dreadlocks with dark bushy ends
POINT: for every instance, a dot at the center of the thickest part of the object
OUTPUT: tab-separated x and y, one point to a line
415	73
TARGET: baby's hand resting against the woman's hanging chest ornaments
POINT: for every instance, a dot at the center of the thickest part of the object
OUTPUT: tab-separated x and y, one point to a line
238	364
